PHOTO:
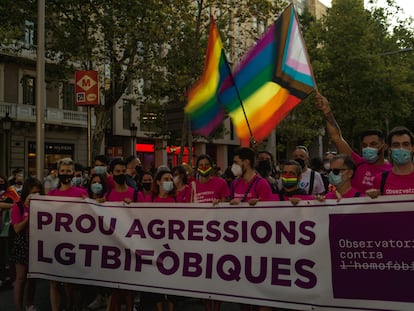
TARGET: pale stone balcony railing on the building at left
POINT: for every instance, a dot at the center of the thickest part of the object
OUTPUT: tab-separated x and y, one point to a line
27	113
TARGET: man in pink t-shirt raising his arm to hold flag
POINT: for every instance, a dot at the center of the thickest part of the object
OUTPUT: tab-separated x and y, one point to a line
372	161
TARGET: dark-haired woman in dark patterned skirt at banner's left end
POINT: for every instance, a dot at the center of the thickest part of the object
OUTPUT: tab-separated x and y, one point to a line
20	255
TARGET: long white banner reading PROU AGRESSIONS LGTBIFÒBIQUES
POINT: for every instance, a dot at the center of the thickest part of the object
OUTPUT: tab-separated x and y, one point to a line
353	255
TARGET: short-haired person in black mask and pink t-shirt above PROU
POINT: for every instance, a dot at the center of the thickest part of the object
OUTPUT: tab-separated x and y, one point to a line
65	169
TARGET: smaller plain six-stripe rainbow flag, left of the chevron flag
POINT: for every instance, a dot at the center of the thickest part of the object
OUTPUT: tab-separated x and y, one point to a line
203	108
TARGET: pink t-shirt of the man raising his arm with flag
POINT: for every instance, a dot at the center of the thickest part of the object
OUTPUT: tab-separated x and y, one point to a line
365	173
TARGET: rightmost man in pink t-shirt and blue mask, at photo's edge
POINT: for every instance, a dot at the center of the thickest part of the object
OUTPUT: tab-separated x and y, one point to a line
400	180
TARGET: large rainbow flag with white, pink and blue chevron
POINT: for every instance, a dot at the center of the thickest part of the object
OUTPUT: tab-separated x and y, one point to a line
273	77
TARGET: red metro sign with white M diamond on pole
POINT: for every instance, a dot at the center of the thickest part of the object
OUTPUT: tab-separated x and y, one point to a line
86	87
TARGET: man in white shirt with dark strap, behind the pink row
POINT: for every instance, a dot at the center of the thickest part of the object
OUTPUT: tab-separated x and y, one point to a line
311	181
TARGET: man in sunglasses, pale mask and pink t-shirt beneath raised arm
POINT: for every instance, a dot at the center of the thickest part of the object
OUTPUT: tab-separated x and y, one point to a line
342	169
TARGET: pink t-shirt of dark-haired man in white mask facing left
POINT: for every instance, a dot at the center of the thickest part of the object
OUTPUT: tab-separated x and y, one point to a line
256	188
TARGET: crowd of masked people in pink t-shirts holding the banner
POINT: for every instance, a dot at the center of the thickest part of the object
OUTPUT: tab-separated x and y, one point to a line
253	177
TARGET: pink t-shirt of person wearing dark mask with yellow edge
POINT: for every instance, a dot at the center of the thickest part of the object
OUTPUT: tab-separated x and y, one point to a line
215	188
